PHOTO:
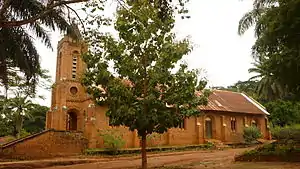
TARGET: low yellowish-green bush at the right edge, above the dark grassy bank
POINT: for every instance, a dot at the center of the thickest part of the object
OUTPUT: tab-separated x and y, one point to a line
286	134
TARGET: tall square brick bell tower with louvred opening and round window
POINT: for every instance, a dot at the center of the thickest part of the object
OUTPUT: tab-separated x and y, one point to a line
68	95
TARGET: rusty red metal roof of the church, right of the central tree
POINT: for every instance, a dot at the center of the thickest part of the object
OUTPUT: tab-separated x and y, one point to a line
227	101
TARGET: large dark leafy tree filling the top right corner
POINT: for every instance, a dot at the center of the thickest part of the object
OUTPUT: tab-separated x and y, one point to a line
277	32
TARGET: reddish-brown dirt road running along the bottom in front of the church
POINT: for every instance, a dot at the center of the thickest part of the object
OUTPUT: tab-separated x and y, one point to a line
184	160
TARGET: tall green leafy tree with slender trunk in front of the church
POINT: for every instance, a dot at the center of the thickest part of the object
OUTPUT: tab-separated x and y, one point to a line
142	92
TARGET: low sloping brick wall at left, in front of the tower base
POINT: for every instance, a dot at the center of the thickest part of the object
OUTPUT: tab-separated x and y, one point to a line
47	144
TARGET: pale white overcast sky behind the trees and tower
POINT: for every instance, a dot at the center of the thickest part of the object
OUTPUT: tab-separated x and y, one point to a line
224	56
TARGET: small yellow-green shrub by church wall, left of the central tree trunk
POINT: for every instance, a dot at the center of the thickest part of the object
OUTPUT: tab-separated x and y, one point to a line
112	139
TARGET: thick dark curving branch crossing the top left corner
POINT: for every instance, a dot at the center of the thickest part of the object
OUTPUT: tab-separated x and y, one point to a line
8	24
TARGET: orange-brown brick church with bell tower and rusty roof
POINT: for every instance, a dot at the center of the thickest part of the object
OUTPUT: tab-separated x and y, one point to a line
72	109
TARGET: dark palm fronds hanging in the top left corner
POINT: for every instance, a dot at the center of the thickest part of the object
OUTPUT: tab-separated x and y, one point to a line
17	50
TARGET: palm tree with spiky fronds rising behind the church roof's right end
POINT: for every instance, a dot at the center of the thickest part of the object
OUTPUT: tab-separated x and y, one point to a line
268	86
